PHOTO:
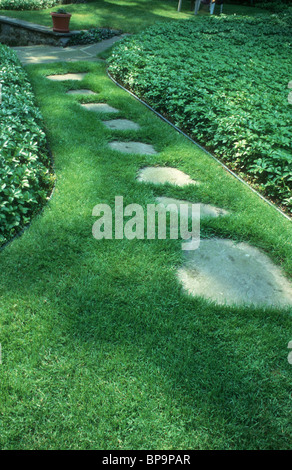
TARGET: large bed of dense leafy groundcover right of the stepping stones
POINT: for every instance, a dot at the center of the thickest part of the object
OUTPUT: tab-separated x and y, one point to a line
224	80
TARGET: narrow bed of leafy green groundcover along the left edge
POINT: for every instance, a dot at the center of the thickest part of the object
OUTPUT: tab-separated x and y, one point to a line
25	179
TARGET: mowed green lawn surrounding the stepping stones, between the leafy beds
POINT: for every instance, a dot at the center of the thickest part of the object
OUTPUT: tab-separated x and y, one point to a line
101	347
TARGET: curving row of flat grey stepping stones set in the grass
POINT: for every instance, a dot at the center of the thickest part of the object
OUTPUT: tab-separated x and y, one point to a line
220	270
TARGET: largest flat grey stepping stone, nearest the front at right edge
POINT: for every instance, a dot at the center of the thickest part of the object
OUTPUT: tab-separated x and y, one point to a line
234	274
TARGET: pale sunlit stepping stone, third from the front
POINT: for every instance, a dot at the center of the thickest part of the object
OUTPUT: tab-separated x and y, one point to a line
162	175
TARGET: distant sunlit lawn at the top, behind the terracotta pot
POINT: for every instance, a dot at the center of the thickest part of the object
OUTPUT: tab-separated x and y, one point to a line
126	15
